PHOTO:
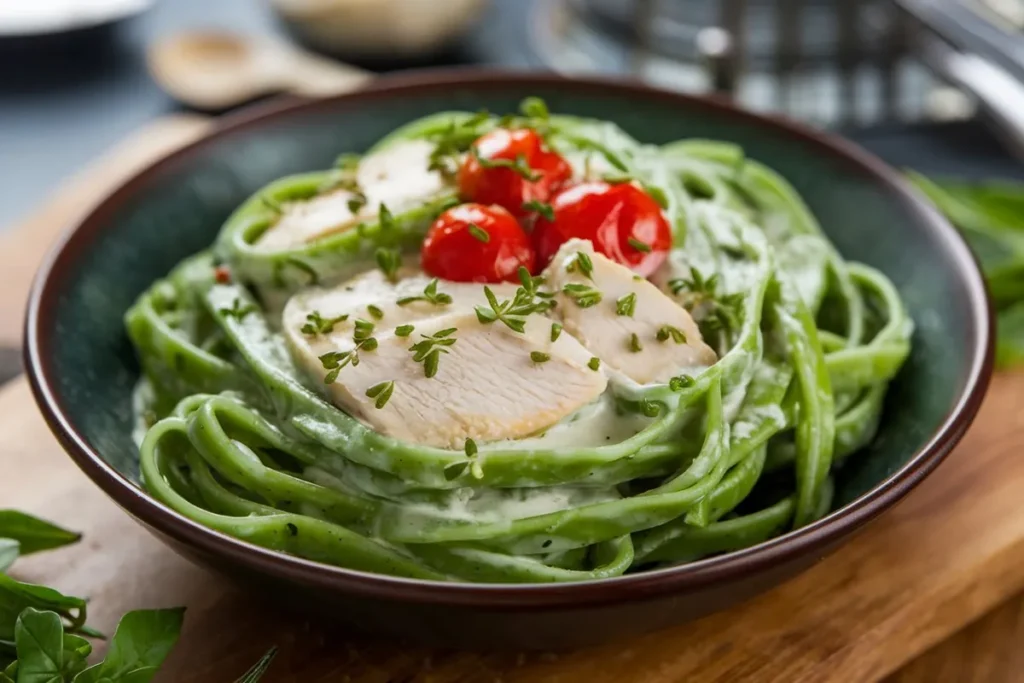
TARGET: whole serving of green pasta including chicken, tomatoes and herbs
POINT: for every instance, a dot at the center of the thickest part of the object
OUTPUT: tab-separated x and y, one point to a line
515	350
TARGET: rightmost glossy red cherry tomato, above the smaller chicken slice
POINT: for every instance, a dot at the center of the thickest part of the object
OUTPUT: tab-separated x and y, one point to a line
621	221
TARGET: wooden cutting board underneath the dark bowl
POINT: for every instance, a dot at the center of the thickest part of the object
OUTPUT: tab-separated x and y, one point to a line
952	552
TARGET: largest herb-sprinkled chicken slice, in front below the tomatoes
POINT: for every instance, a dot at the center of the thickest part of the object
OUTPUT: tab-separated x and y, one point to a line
492	385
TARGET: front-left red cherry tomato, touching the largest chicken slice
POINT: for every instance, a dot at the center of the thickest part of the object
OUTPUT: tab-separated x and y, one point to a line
473	243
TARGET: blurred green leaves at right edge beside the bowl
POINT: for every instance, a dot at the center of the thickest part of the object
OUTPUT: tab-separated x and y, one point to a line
991	216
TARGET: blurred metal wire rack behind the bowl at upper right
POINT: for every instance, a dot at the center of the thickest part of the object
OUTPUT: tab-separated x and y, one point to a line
833	63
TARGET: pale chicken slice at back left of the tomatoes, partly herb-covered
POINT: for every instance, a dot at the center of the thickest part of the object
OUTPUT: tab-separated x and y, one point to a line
398	177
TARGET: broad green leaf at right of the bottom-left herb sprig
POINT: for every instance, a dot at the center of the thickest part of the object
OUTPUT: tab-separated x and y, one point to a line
141	645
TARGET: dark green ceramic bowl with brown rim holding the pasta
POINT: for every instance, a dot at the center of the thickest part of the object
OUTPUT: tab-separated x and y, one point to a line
83	369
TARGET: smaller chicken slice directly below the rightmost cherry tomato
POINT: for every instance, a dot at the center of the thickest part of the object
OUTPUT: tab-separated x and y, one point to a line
635	328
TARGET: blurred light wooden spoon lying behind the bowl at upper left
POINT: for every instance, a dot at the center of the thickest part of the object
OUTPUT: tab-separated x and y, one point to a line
217	71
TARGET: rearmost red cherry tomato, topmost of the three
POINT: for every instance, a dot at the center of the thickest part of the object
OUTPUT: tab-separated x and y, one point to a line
504	186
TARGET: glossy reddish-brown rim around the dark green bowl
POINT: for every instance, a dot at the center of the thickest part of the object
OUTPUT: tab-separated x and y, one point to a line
818	537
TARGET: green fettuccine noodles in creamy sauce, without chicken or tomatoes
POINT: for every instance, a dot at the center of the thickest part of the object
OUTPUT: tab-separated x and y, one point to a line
237	435
